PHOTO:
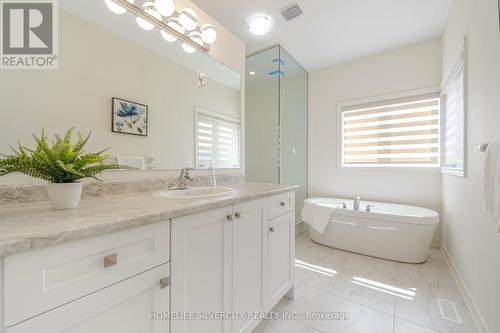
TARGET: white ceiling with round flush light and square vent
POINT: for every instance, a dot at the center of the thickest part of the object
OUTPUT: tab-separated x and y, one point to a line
334	31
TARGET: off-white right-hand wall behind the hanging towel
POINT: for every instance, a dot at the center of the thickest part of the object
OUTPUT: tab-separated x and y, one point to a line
468	236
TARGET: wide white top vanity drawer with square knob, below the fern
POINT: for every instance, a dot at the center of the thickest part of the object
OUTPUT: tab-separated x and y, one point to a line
40	280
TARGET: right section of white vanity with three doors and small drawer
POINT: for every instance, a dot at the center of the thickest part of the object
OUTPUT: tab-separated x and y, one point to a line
232	260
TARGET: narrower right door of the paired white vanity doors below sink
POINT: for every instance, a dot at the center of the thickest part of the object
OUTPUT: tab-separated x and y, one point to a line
249	262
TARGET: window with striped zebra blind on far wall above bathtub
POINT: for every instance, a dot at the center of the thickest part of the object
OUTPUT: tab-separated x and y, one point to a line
401	132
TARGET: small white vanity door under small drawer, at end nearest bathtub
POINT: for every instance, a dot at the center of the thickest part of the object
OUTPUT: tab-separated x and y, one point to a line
281	236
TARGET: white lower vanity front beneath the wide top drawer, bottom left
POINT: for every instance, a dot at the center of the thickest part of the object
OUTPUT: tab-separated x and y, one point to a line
125	307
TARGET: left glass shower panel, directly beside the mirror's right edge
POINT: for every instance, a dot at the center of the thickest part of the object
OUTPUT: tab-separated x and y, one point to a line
262	117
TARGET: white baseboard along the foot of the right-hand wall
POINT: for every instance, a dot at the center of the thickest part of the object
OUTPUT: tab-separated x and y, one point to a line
464	291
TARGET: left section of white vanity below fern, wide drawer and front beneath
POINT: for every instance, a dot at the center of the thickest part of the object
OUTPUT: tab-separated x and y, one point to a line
110	283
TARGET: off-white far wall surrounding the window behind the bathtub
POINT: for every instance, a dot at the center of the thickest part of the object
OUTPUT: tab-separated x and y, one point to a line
412	67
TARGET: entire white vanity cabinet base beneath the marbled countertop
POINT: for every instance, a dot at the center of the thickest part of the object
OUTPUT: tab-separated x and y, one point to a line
203	272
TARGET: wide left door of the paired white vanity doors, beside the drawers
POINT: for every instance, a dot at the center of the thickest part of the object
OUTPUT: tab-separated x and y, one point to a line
201	270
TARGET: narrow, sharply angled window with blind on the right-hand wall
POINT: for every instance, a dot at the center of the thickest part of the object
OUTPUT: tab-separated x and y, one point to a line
453	101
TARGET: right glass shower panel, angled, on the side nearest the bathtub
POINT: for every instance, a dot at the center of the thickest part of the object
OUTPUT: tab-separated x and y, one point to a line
293	127
